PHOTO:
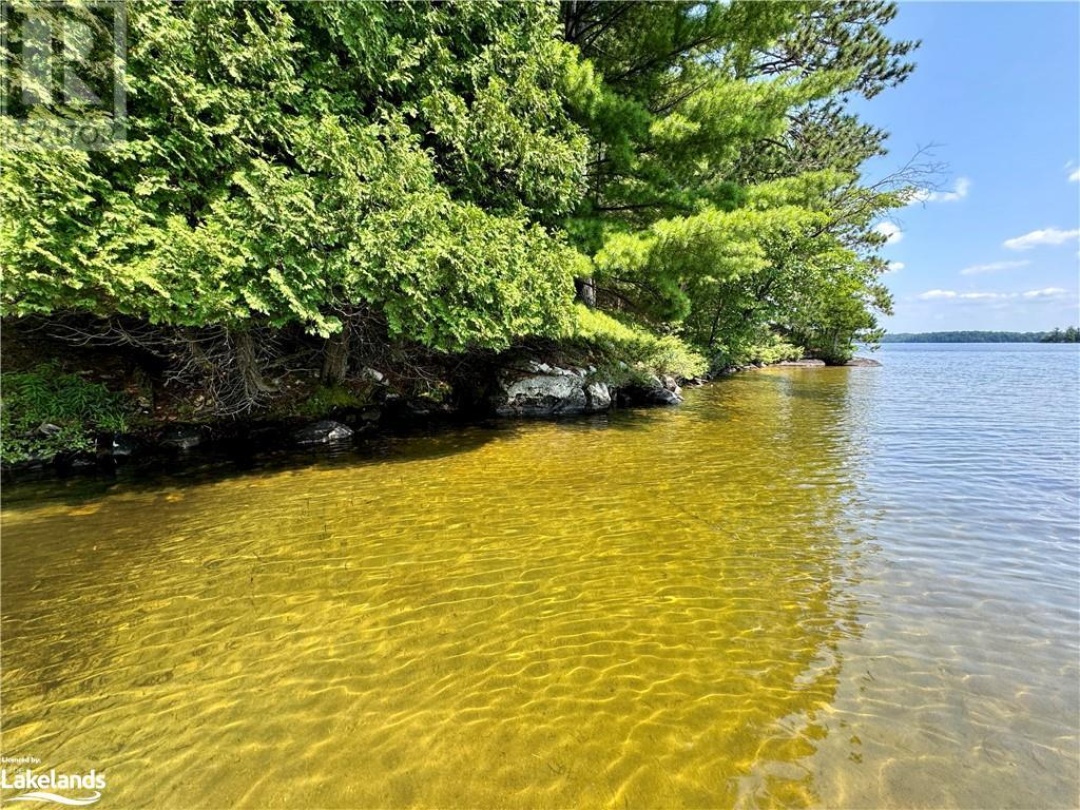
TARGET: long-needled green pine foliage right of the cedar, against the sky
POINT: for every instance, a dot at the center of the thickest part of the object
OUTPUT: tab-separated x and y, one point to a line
731	204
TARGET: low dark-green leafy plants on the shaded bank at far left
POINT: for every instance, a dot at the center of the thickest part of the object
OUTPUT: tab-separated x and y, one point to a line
45	413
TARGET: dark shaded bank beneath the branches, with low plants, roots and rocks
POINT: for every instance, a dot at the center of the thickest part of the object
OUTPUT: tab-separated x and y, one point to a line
103	439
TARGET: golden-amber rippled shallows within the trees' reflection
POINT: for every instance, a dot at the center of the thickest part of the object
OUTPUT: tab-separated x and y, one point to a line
644	610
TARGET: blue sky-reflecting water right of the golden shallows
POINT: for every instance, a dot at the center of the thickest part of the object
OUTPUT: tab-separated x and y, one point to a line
965	686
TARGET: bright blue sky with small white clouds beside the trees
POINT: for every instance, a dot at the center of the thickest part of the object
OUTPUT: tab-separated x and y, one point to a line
997	92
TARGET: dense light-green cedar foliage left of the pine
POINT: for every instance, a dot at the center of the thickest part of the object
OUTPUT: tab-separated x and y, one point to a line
290	161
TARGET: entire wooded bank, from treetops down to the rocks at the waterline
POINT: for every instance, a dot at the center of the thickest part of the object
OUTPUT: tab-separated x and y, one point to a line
366	210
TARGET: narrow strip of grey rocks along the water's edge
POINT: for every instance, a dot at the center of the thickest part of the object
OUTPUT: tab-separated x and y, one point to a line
533	390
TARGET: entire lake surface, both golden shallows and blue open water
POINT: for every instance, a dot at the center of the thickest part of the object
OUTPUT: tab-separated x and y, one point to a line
825	588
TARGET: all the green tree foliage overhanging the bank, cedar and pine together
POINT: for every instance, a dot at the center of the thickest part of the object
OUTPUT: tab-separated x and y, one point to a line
447	171
